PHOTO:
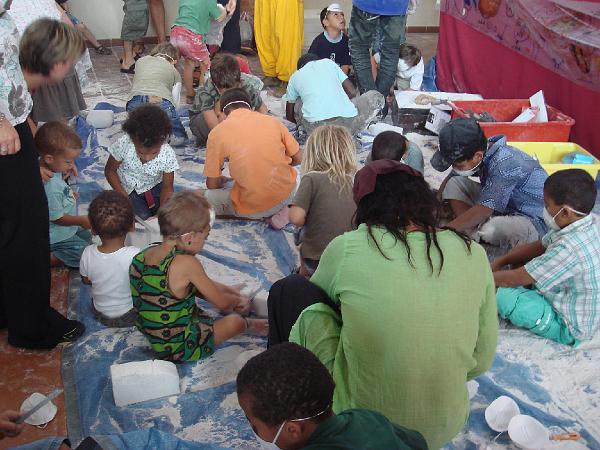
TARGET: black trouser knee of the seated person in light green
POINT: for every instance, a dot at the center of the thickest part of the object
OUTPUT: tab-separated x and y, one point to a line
288	297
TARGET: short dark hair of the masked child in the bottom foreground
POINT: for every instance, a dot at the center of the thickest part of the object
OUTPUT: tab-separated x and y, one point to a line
286	382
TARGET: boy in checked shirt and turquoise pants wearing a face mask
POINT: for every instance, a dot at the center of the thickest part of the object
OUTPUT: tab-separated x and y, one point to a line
555	291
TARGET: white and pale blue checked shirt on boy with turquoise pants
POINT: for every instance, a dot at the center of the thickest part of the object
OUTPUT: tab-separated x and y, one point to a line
568	275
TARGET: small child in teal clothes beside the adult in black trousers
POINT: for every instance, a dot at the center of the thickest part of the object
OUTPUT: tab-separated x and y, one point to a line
59	146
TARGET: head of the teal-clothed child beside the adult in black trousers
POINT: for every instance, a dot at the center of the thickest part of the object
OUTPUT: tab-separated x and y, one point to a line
59	146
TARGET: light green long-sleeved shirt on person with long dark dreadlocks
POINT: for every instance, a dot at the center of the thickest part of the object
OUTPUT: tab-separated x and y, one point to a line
410	338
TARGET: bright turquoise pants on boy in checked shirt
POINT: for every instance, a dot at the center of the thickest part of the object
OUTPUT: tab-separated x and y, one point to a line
529	309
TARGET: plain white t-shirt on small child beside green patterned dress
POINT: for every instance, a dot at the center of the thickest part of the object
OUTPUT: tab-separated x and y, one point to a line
109	274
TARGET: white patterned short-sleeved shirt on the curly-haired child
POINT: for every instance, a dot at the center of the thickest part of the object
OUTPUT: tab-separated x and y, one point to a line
137	176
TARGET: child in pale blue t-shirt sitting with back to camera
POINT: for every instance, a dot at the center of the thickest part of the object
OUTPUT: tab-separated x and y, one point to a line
319	93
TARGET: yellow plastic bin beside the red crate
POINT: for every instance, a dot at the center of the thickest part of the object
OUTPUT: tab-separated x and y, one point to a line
550	155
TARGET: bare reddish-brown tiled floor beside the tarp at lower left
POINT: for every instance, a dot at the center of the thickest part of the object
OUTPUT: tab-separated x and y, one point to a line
26	371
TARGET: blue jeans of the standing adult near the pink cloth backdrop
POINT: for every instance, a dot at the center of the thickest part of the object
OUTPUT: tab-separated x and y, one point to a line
364	28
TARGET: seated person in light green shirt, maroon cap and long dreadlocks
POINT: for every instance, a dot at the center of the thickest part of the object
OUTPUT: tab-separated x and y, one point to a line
417	311
